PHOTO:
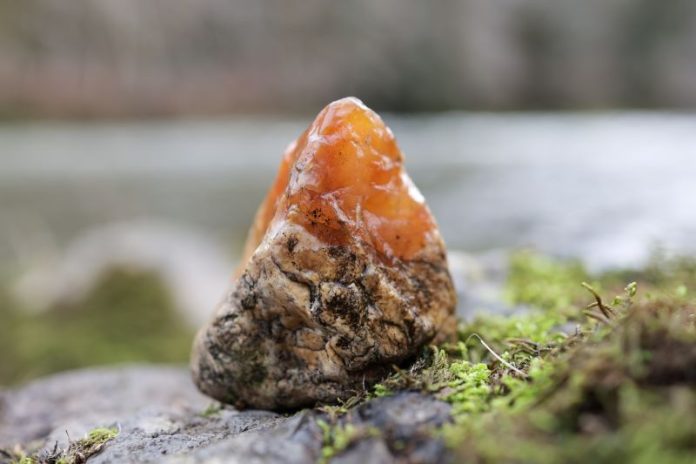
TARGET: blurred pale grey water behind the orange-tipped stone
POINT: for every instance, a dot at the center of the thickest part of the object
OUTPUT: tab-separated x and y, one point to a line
606	187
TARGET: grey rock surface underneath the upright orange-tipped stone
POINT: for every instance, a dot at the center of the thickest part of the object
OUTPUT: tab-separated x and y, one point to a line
159	414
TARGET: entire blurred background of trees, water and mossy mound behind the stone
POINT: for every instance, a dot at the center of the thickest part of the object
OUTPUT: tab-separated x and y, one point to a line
138	138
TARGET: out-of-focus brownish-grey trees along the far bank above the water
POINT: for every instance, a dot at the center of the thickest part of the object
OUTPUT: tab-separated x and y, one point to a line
130	57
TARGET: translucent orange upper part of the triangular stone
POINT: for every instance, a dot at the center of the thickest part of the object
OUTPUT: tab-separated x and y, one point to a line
344	179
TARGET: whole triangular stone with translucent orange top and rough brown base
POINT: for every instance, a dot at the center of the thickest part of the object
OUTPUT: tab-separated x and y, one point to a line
344	274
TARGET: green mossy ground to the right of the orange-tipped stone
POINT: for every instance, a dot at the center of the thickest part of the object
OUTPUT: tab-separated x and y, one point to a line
575	378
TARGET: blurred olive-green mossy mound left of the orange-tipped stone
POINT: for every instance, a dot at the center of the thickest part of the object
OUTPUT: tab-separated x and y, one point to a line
128	316
